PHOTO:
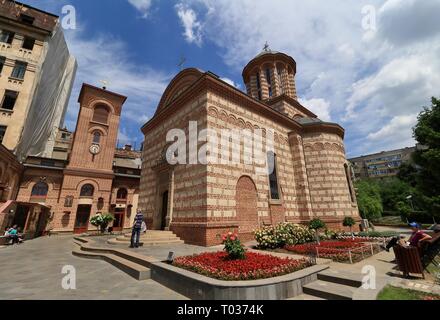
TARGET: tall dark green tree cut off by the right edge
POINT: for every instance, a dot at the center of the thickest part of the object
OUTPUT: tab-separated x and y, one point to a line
427	133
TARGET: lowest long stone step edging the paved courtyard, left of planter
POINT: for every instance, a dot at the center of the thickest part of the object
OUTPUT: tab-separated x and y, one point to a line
133	269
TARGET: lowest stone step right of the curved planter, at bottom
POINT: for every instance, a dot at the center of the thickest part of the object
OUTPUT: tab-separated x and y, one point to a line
329	290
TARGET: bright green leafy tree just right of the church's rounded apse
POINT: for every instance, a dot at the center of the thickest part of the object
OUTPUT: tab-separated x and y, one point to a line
369	199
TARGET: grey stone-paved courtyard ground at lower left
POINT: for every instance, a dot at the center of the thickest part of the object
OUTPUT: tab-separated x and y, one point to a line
33	271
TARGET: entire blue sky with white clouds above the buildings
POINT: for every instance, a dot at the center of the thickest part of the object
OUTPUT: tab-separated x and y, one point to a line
369	65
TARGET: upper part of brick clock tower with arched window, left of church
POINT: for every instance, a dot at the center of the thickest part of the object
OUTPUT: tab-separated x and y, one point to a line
96	131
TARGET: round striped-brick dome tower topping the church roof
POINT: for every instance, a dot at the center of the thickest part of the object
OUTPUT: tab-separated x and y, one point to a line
270	74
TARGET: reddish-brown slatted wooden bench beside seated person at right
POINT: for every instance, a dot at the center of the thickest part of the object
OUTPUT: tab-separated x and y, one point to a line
409	260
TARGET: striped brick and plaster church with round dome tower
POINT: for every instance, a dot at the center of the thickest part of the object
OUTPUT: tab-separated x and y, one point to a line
199	202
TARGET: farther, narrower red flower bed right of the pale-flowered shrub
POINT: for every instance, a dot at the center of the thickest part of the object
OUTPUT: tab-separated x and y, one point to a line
348	250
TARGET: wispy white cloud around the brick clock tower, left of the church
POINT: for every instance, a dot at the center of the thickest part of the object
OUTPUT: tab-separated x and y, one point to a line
107	58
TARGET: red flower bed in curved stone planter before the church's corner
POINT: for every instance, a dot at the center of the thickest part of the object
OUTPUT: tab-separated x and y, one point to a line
255	266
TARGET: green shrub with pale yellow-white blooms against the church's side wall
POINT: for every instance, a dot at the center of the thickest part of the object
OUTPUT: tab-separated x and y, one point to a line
283	234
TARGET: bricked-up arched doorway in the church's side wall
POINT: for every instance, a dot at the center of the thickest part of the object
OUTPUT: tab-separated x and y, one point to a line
246	207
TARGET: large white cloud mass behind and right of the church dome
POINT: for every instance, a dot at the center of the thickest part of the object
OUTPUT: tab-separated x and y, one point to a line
367	80
